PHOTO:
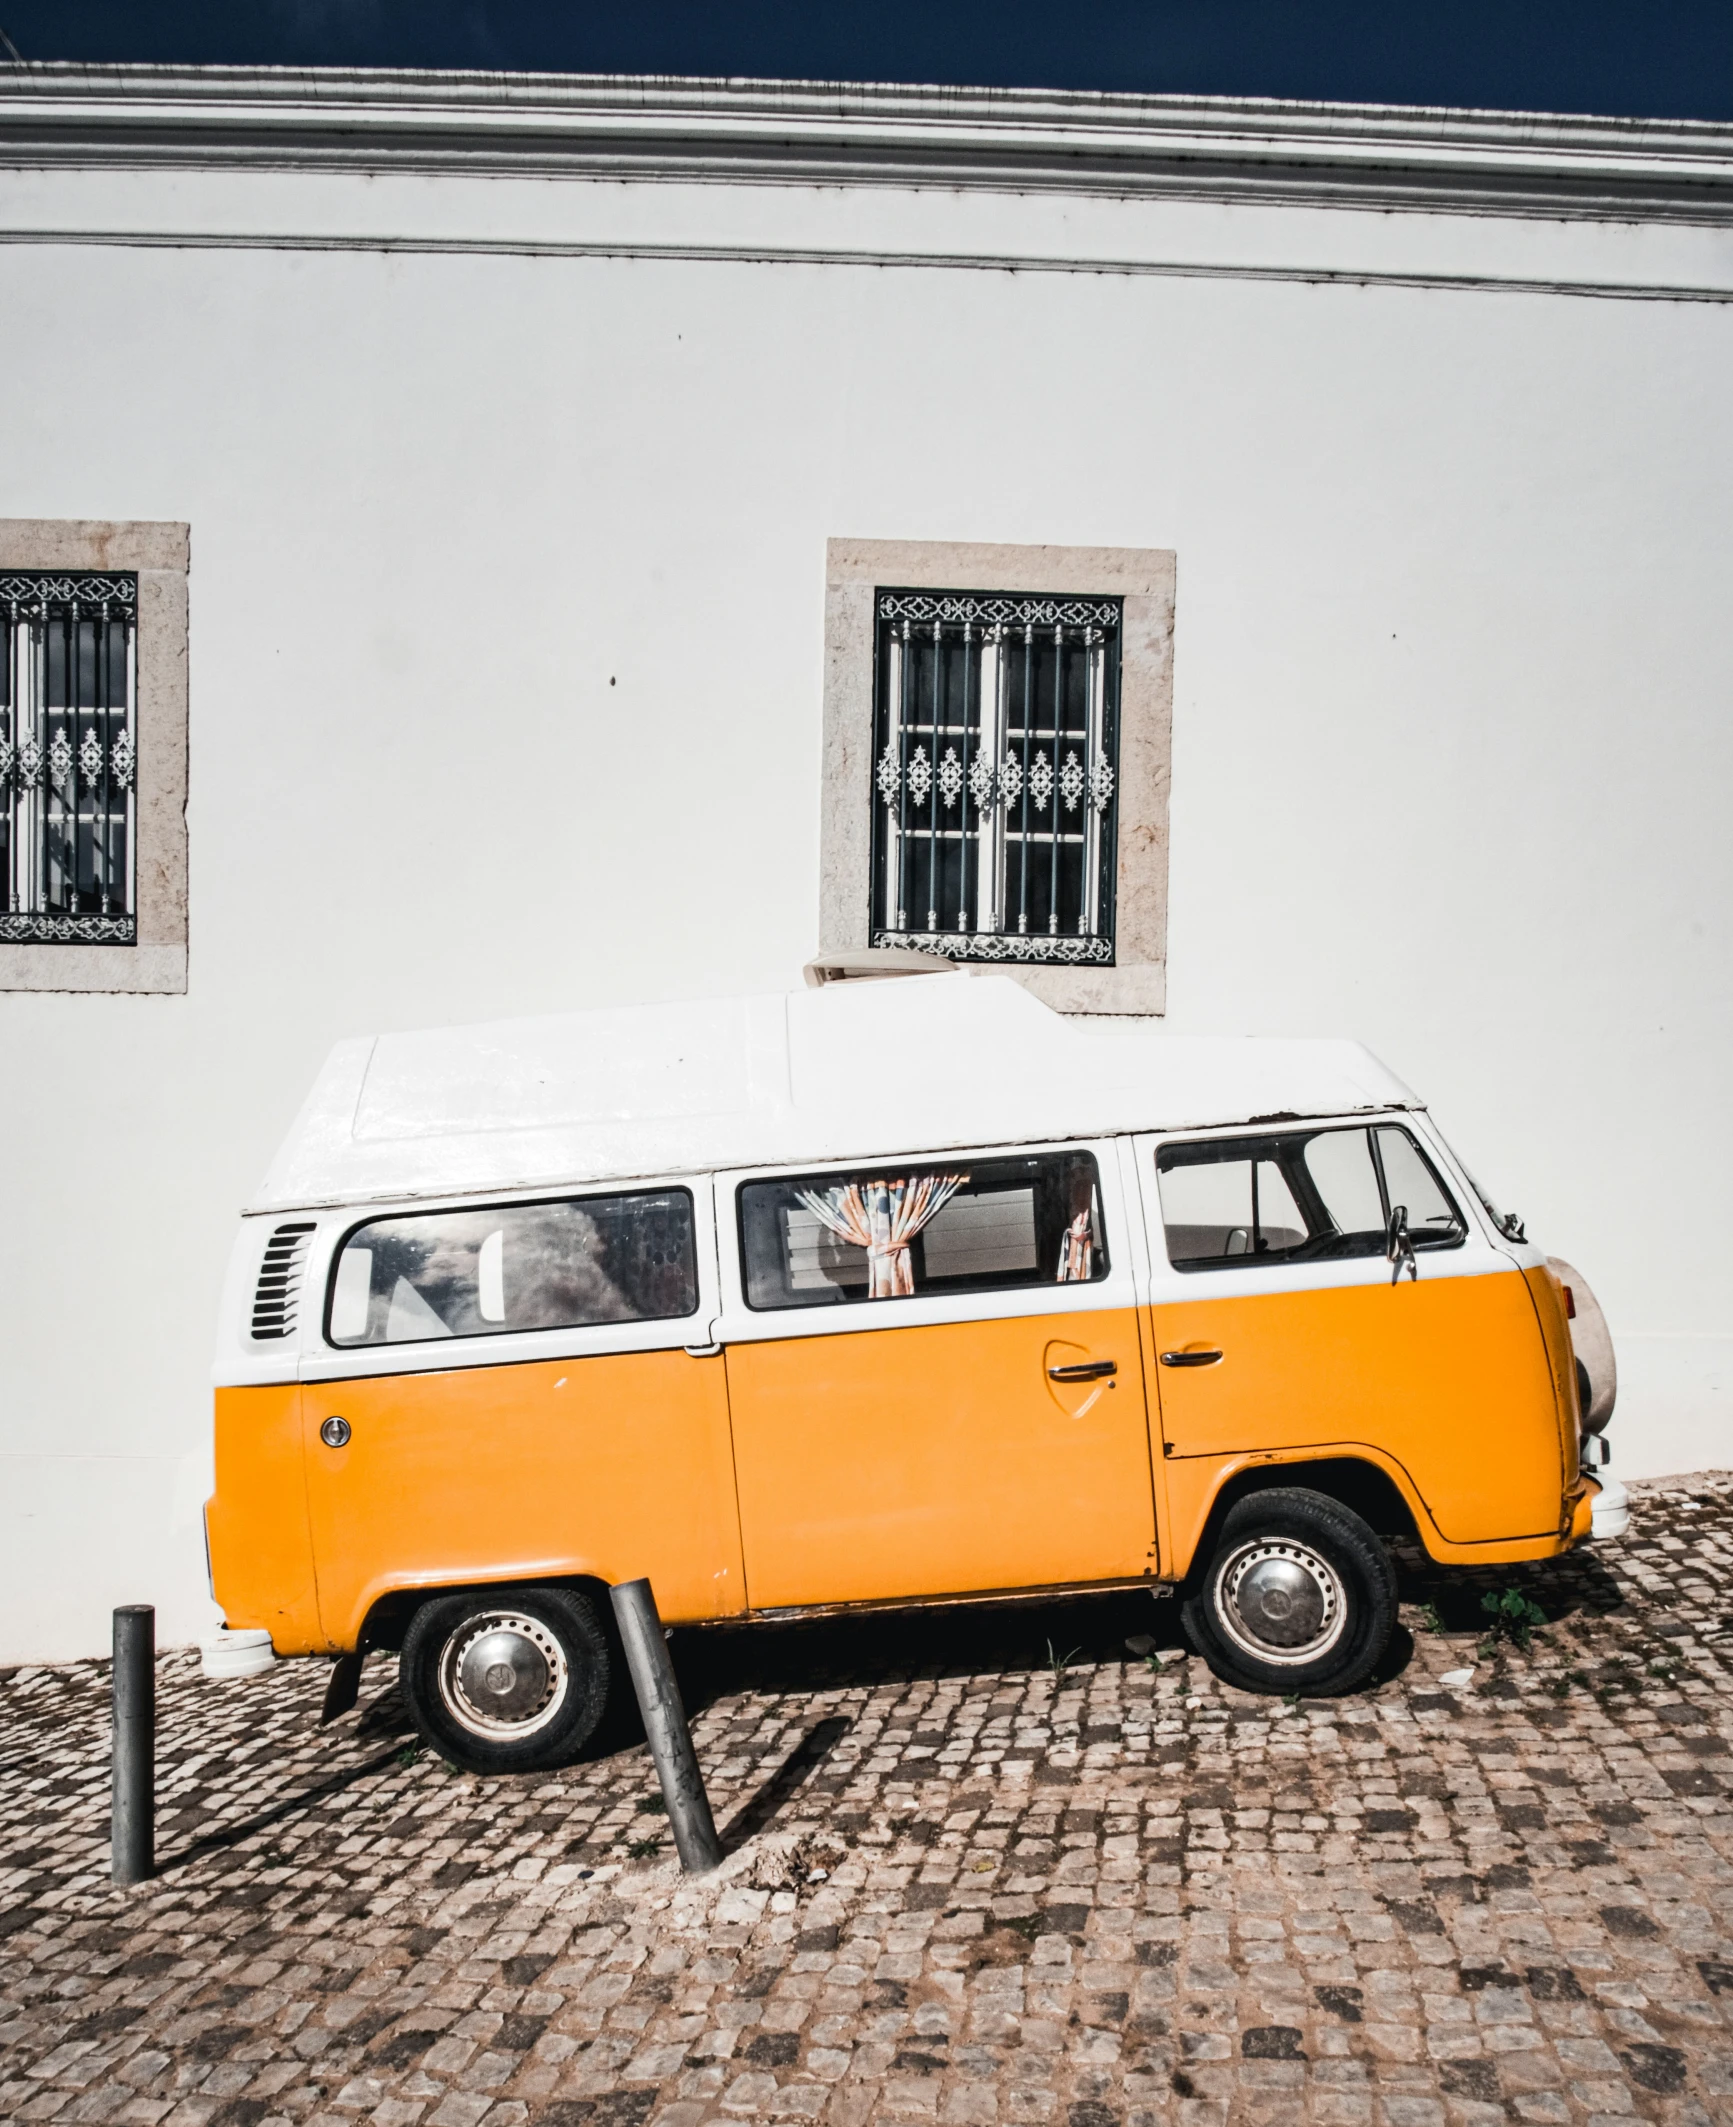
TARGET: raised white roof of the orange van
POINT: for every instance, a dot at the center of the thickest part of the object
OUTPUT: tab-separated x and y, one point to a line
854	1071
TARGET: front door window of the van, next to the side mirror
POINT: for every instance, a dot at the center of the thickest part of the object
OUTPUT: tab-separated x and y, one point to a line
1305	1196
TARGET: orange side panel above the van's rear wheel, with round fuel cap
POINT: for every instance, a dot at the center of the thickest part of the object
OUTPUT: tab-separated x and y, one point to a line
613	1467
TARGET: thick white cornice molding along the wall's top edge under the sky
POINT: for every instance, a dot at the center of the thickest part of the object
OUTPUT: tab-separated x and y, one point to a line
811	133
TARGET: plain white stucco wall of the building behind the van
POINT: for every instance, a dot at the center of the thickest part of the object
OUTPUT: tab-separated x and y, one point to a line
505	697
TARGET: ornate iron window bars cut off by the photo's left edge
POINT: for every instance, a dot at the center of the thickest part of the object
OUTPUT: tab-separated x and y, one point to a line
69	758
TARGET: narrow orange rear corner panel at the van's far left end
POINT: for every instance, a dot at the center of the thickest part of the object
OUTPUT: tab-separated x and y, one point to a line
260	1539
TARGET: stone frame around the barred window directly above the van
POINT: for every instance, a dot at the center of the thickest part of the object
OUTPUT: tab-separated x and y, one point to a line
1145	580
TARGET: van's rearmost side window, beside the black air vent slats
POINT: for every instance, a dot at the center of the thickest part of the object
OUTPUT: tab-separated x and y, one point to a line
516	1267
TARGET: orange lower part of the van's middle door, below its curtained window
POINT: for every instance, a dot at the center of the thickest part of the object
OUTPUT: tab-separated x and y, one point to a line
913	1462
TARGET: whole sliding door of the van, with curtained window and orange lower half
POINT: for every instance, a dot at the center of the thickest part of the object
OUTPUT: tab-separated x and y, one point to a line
935	1379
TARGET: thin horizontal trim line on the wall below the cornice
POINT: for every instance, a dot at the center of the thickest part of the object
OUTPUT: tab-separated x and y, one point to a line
877	261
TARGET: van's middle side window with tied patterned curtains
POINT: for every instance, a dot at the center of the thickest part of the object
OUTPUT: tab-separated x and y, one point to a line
894	1230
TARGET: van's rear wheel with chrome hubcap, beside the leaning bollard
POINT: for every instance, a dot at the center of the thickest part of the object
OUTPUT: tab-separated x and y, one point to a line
522	1705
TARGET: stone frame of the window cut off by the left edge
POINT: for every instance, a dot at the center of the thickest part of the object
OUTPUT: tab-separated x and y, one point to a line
158	554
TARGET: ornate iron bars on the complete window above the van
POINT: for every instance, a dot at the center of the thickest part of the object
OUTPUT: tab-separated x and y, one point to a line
996	741
